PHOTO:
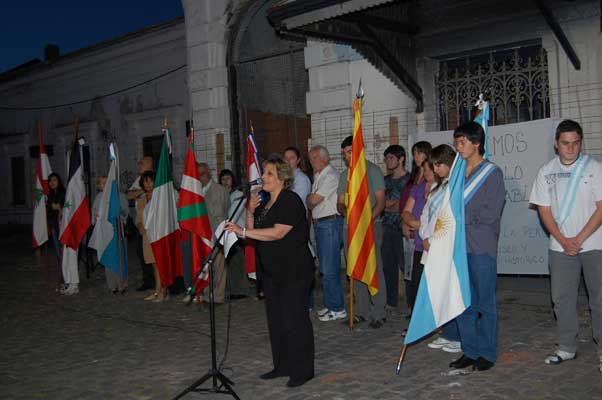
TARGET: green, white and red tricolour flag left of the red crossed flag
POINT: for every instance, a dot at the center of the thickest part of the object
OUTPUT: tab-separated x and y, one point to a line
162	220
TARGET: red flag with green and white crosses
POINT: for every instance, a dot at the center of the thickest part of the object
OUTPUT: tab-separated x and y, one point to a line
192	214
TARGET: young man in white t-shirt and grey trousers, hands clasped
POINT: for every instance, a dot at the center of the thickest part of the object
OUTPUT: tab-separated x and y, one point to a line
568	194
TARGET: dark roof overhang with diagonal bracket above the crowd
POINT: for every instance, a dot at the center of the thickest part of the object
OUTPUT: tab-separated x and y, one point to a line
365	25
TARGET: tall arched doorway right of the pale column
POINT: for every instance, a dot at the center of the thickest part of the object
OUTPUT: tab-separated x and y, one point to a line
268	82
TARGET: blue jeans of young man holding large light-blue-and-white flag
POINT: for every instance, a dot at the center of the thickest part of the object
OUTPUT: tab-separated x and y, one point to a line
479	334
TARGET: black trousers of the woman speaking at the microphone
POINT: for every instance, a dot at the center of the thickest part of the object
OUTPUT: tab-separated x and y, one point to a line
290	329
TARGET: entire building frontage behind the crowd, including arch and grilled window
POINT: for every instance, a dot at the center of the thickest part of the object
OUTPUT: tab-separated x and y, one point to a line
290	70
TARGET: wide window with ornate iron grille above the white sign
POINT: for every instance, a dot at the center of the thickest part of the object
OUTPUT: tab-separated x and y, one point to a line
514	80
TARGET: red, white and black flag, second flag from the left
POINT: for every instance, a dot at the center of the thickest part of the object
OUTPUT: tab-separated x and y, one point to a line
76	212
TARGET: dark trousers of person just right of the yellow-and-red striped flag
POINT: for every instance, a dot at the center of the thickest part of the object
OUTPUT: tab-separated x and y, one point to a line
392	254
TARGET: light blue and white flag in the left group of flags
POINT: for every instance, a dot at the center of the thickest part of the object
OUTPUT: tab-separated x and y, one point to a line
105	234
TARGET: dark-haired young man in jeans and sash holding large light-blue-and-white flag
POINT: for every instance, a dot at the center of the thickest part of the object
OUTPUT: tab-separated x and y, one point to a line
483	213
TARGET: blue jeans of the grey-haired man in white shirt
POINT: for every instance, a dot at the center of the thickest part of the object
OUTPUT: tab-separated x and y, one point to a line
329	239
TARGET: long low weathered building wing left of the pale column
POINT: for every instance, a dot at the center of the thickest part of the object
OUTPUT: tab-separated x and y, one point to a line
120	90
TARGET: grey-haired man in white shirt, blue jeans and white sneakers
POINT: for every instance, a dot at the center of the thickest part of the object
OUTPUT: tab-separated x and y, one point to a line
328	228
